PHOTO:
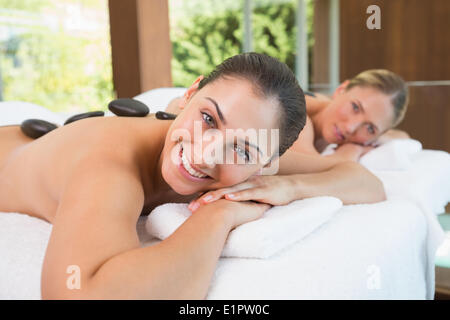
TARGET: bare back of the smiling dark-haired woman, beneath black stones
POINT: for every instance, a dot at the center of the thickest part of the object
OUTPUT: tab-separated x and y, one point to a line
34	172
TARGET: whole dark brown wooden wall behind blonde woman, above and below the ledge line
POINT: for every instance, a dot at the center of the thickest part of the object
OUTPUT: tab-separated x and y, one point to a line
413	42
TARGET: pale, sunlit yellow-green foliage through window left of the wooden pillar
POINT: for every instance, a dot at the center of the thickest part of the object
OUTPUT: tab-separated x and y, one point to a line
60	70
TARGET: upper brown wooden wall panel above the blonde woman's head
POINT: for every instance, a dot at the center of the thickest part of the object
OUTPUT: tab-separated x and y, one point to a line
413	40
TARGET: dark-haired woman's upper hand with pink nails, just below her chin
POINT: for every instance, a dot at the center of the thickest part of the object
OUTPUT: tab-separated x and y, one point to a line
273	190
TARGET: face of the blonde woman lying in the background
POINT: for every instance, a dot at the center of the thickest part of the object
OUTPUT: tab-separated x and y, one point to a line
358	115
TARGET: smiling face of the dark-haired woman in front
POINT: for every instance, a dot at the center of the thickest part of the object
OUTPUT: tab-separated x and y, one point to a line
221	117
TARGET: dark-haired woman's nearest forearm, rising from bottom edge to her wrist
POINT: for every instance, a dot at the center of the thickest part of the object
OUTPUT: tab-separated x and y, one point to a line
180	267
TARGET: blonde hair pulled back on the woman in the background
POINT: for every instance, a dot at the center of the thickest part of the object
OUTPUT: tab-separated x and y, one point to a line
388	83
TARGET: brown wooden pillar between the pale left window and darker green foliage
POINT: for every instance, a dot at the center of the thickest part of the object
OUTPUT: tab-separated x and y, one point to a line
140	44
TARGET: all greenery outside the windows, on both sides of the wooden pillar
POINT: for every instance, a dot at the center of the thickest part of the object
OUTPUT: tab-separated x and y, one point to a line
66	71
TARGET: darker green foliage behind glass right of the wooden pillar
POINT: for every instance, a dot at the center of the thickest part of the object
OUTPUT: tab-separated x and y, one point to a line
204	33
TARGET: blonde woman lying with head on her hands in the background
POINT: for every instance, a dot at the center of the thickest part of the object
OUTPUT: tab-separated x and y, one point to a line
360	114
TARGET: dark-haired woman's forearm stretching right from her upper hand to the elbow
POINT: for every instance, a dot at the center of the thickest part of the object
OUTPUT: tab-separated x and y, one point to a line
347	181
